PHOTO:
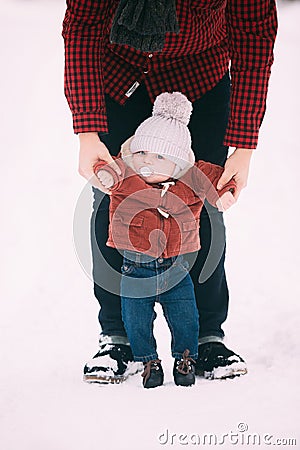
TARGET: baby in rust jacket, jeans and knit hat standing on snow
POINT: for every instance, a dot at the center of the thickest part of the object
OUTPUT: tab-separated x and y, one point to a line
155	206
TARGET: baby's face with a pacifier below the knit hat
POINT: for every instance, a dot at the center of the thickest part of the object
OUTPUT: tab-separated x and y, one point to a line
154	168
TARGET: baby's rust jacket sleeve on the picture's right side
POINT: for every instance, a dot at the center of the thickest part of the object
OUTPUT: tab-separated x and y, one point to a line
205	177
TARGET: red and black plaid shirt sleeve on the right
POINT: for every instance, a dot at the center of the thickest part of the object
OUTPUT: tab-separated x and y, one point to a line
251	27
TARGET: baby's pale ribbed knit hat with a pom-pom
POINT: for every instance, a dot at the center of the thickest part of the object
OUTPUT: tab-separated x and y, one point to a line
166	131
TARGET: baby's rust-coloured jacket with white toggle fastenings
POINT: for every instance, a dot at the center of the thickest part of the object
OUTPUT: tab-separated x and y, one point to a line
161	220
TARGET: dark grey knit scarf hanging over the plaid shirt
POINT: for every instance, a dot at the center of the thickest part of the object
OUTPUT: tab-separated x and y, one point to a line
143	24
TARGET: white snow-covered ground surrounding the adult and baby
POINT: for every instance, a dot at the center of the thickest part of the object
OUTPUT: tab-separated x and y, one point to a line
48	313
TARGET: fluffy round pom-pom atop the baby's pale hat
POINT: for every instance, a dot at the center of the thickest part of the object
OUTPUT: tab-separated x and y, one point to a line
173	105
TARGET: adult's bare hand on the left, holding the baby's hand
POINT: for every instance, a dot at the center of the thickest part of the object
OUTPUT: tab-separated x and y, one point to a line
92	150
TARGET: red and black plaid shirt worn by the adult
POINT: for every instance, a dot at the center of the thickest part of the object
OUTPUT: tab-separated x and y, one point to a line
212	33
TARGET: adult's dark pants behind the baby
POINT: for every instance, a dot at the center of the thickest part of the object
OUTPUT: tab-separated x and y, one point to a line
207	126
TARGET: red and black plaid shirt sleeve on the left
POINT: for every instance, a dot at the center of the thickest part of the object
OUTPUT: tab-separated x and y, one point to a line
82	32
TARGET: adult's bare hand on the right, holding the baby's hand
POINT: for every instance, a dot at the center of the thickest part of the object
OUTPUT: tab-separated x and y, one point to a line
237	167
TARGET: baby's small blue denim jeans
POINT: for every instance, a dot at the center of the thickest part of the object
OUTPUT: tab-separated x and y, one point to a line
146	280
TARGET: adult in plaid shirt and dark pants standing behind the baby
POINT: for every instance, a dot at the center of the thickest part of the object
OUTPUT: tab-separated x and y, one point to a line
119	57
